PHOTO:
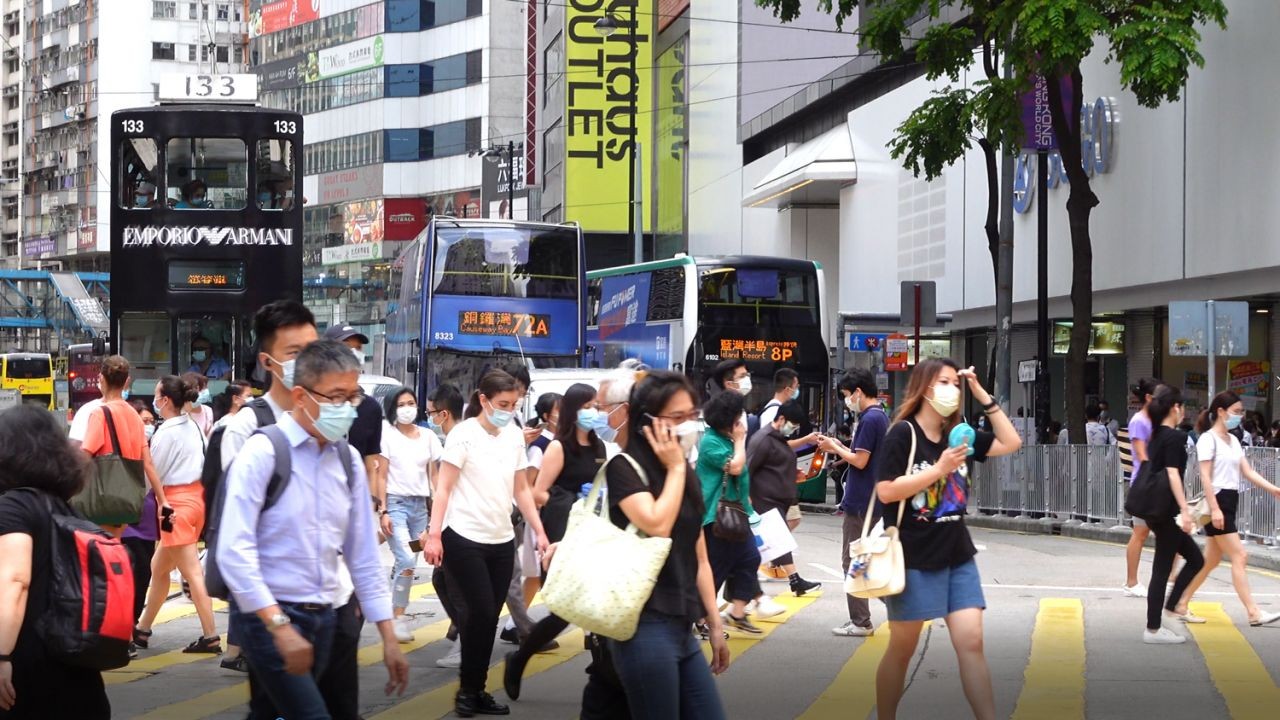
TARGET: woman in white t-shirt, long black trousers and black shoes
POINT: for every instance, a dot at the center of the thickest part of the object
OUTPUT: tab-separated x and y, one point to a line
472	535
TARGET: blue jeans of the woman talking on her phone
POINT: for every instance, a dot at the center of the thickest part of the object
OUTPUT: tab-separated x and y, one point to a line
665	672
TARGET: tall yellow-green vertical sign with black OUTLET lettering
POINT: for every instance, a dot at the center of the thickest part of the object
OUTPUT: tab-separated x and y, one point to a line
605	76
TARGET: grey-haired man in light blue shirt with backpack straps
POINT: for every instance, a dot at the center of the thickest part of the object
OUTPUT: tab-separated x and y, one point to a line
282	566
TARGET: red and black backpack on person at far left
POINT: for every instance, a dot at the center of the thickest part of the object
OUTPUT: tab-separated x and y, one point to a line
90	617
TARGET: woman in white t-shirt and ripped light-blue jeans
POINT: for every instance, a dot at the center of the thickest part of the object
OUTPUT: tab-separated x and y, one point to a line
413	454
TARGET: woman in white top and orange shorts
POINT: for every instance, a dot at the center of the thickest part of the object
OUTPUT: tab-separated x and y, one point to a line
179	450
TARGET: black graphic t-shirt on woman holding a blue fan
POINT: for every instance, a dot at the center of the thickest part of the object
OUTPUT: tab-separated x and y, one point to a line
932	531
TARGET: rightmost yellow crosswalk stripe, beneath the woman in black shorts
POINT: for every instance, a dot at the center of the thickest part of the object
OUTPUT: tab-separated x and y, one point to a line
1235	667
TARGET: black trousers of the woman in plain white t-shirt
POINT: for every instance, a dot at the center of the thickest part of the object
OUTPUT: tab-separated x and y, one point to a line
478	577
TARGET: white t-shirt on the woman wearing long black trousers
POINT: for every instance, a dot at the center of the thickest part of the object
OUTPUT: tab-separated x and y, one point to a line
482	502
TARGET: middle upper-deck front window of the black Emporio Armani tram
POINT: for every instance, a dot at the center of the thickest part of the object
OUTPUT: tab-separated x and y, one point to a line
207	174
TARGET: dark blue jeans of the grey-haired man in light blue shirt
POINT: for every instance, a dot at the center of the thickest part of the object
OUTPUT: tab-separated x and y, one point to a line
296	698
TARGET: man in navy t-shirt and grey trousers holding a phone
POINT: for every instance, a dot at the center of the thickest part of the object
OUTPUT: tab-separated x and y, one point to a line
860	394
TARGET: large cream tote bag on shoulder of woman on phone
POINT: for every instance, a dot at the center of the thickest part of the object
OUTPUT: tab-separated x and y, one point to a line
602	577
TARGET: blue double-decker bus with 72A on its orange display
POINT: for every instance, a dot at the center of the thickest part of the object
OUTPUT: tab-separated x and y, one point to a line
481	294
